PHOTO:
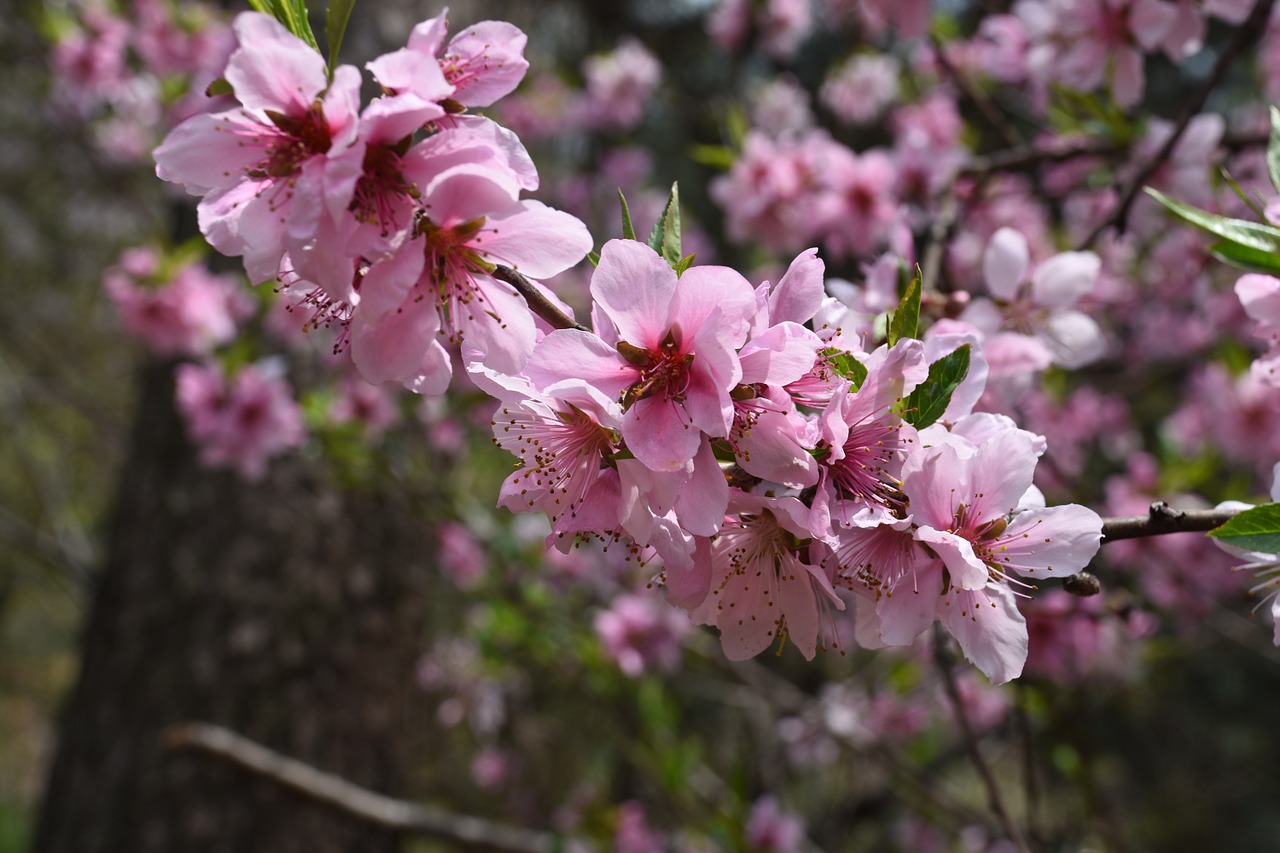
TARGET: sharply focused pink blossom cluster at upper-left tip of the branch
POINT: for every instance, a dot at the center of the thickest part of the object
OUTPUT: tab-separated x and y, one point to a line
388	221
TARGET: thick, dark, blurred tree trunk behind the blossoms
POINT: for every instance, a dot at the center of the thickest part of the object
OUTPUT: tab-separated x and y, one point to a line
290	612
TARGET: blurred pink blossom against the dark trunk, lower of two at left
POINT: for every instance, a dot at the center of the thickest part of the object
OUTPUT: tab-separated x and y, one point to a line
241	422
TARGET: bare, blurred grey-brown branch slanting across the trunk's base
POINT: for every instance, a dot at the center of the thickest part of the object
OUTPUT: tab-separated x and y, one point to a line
348	797
